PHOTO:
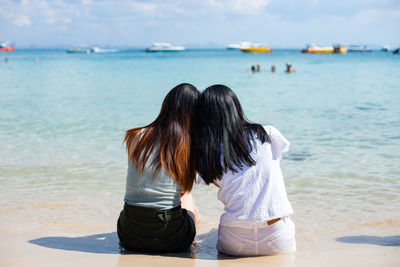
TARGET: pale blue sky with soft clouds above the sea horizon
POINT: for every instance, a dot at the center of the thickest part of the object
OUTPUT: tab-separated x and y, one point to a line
199	23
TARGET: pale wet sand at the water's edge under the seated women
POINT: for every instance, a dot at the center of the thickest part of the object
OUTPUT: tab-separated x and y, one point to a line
66	245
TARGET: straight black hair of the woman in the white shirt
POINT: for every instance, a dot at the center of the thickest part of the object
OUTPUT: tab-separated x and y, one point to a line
222	138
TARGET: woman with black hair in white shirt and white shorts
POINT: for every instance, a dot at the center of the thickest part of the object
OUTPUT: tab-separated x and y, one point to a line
242	159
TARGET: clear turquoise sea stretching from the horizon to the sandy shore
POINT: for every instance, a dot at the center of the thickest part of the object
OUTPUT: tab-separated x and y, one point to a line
62	122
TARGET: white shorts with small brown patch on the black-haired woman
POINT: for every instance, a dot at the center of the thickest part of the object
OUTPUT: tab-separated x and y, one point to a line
257	239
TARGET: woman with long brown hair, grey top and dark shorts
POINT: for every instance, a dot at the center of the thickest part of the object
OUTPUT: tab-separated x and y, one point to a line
159	214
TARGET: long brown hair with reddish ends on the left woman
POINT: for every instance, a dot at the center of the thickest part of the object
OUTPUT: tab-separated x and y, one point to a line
167	138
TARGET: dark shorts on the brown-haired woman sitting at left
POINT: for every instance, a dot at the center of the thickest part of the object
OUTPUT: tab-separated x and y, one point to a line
147	230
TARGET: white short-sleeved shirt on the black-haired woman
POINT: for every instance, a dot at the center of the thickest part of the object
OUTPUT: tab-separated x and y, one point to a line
257	193
